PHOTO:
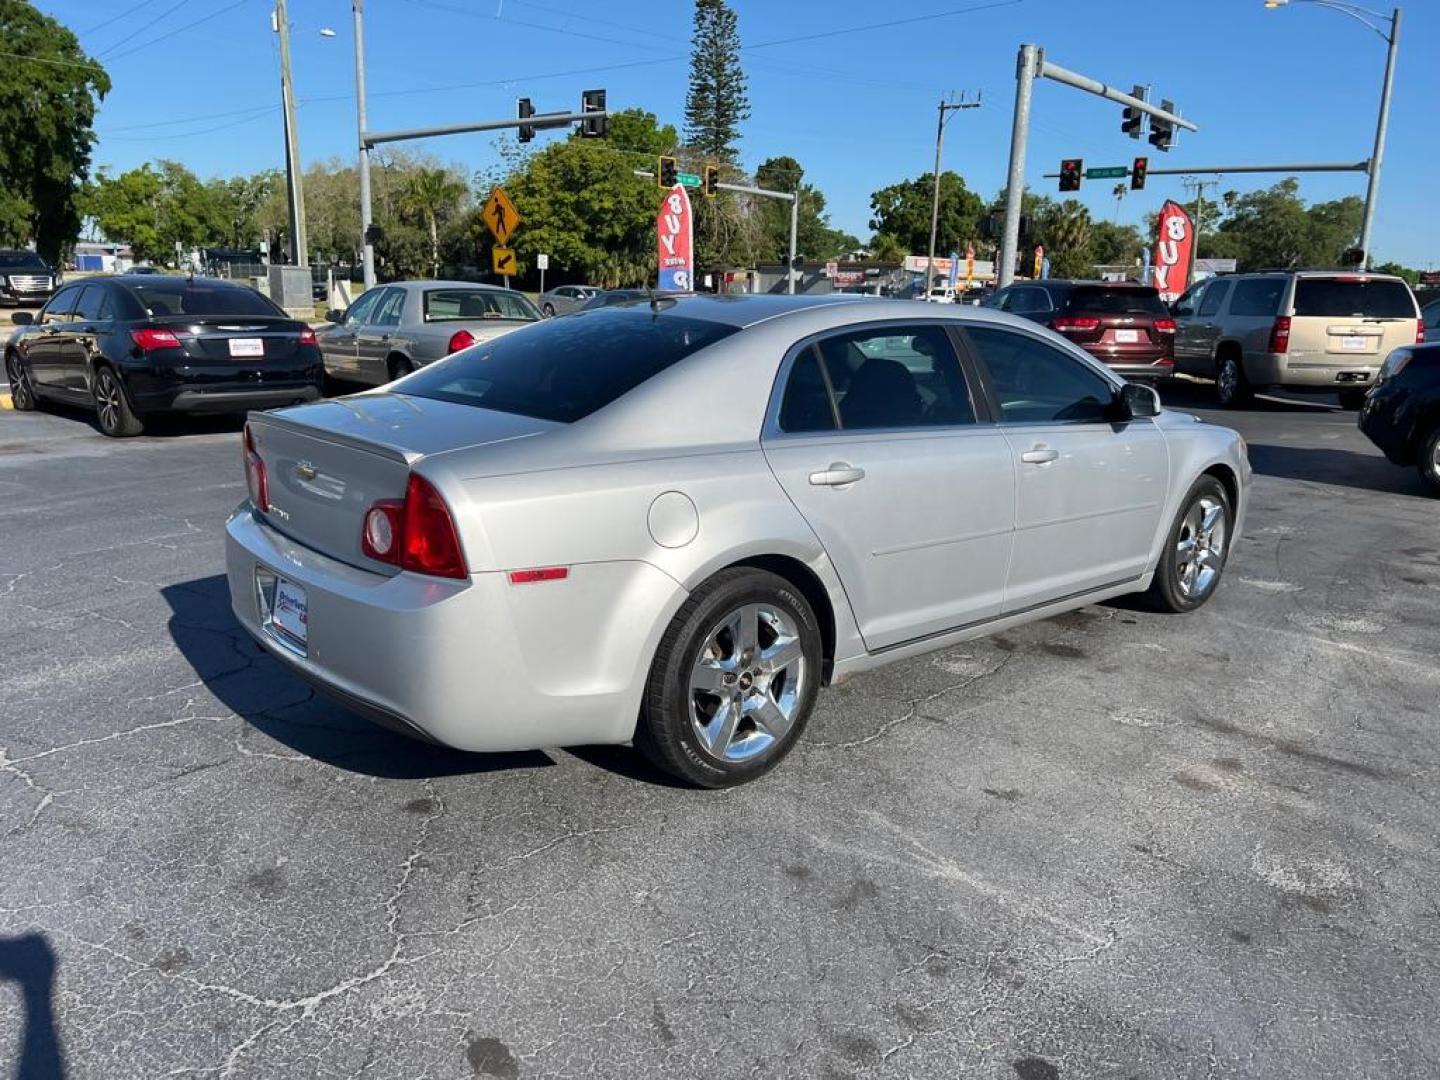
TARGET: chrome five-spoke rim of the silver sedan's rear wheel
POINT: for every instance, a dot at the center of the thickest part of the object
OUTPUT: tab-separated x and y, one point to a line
747	683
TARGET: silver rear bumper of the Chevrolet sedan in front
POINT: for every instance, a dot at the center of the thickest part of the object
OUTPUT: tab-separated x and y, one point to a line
476	665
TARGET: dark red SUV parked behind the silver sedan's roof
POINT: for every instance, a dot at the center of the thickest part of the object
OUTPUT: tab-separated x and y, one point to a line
1121	323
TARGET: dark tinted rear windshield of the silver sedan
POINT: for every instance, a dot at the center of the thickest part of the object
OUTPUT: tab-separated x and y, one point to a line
565	369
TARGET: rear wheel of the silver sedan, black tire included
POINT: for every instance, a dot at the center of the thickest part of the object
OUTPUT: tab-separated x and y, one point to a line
667	731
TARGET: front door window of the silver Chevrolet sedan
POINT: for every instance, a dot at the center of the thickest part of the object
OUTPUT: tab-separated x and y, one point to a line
1036	382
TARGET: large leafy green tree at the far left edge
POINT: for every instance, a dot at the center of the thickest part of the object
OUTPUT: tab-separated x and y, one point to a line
50	91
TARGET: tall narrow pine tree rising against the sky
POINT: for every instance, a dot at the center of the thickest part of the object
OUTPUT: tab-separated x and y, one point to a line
716	103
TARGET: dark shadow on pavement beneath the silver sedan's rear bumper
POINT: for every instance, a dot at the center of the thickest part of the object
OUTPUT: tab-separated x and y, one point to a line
260	690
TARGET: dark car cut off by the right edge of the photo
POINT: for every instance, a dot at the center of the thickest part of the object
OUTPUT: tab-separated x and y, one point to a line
1402	413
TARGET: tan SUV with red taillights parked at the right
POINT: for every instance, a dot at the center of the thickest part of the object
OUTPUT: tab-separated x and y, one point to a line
1297	330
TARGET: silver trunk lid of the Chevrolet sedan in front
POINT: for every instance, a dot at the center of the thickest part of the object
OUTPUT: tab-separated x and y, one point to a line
329	463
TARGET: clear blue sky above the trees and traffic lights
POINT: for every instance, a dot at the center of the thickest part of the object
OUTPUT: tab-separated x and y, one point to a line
858	109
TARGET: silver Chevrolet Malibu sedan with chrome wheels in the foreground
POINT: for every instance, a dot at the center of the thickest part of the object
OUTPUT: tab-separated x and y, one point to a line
673	522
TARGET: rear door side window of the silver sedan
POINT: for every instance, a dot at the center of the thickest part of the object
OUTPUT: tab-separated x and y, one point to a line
876	379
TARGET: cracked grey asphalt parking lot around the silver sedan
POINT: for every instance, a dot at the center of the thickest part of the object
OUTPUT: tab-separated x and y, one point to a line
1115	845
